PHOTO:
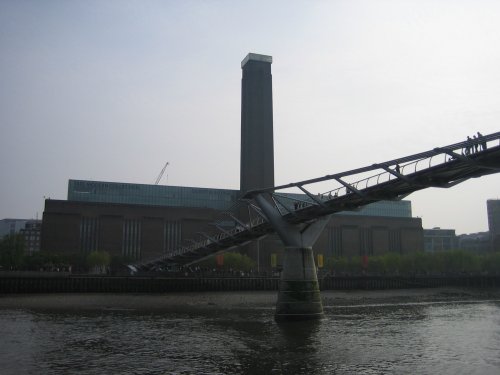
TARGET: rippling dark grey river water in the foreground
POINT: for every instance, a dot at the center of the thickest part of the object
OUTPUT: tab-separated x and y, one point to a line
445	338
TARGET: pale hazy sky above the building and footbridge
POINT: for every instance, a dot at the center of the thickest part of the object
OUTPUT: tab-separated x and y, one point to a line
111	90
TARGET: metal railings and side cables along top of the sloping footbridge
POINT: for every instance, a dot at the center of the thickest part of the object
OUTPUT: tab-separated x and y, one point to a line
344	183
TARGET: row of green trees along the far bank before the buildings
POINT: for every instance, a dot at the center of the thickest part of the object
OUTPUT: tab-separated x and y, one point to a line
13	257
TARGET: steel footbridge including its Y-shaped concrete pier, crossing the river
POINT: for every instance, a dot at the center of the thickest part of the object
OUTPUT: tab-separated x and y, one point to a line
298	218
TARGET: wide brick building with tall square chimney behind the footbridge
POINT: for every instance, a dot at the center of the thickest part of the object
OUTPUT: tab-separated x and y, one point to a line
140	221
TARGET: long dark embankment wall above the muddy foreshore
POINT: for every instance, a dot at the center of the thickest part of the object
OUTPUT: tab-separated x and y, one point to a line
16	284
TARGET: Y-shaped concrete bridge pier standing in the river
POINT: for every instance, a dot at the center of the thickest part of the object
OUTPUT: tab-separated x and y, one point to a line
299	296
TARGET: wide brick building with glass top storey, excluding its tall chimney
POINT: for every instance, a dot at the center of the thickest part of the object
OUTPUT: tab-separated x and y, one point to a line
146	221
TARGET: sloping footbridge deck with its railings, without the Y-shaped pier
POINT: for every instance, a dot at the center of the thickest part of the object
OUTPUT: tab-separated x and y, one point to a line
392	180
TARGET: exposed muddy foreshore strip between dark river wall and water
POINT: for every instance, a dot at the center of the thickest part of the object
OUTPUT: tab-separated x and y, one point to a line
234	300
